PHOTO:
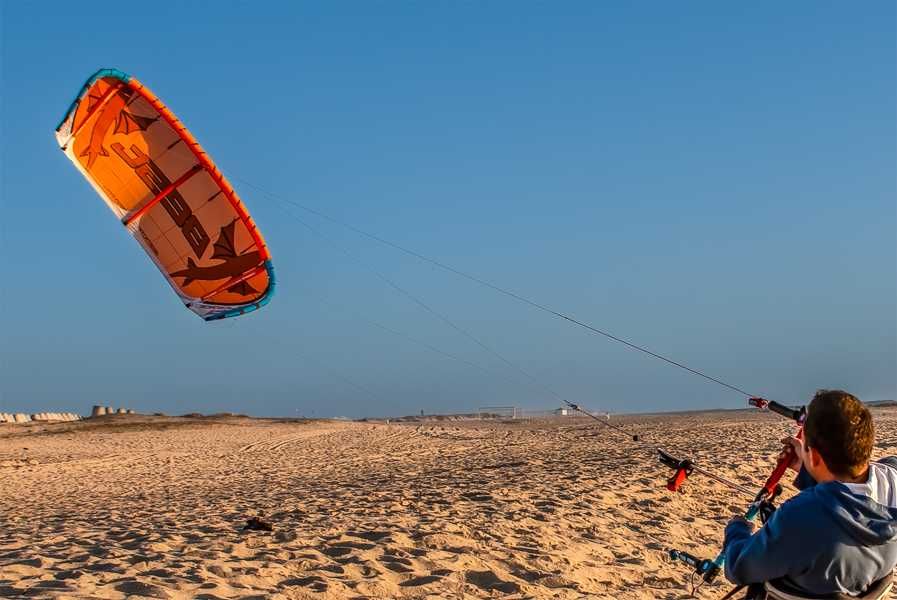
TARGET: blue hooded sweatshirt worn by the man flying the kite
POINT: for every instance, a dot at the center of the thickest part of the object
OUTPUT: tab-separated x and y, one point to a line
831	538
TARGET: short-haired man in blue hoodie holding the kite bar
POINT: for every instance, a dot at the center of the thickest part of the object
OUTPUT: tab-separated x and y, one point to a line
839	535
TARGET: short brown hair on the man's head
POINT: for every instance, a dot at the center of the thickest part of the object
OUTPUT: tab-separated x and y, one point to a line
840	427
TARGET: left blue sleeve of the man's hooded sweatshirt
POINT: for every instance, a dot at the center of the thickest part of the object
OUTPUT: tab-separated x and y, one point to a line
777	549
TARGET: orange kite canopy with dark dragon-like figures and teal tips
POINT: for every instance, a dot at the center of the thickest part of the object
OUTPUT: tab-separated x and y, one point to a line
163	187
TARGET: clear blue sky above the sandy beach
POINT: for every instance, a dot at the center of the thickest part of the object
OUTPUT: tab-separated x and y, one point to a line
714	181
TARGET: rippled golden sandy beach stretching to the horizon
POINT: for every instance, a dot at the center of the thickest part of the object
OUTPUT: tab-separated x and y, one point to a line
131	506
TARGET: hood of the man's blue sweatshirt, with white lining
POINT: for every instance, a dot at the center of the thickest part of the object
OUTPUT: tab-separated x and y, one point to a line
867	512
